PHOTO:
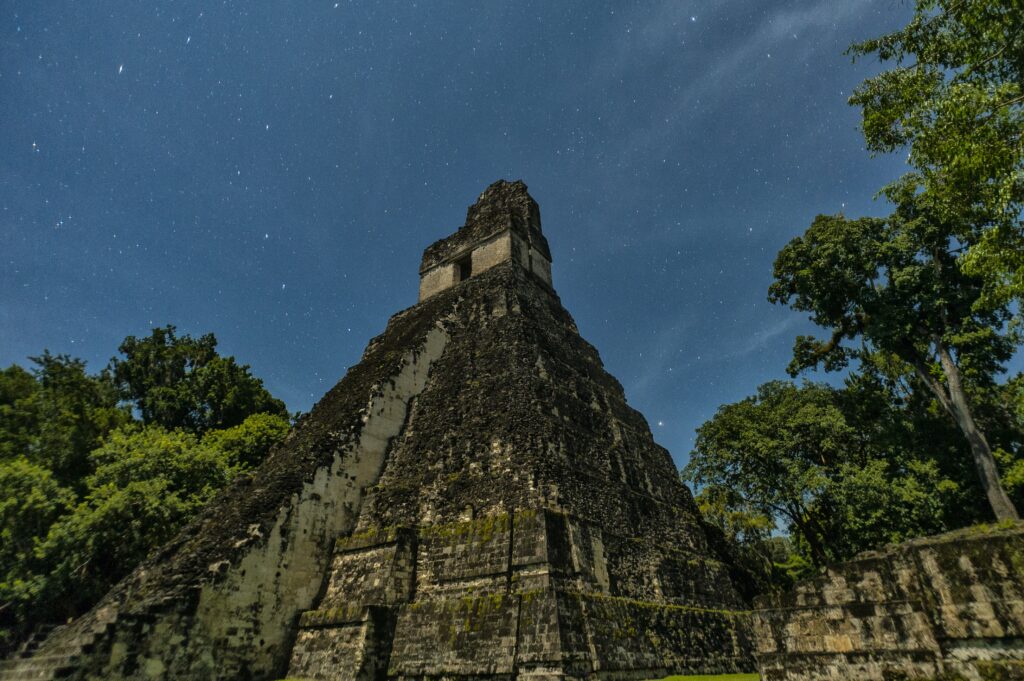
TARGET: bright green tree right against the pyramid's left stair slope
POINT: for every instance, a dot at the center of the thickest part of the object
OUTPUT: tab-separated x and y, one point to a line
149	484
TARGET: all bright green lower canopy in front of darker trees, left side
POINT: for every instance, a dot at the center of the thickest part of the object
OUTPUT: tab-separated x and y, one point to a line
148	484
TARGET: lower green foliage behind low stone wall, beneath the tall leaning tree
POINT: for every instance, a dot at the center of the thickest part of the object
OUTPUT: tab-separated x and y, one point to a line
841	470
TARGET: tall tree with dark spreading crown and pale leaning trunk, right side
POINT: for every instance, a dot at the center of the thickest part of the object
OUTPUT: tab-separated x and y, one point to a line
894	286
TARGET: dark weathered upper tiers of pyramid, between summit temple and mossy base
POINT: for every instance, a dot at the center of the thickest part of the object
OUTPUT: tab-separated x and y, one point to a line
567	440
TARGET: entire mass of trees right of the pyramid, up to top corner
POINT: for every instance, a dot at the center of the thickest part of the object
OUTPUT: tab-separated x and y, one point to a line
921	311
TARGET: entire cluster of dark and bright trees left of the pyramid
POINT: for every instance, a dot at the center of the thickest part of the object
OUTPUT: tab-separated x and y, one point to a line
97	472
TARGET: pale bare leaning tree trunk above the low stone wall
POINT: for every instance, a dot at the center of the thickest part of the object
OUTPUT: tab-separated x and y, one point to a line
956	404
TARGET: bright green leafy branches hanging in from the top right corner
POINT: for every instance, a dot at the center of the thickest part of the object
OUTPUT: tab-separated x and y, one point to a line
954	101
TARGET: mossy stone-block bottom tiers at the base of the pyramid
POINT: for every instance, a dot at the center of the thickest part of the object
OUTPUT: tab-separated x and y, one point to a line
526	594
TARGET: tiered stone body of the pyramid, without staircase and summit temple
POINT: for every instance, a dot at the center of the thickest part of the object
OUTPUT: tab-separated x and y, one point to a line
471	557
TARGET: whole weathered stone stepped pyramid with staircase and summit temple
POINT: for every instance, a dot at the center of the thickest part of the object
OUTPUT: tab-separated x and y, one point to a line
475	499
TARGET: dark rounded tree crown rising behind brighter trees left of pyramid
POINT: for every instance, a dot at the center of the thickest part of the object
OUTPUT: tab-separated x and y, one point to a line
184	384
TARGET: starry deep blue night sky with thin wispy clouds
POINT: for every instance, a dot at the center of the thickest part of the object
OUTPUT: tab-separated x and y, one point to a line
273	172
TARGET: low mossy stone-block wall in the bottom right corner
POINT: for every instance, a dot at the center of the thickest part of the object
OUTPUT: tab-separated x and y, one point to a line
944	608
